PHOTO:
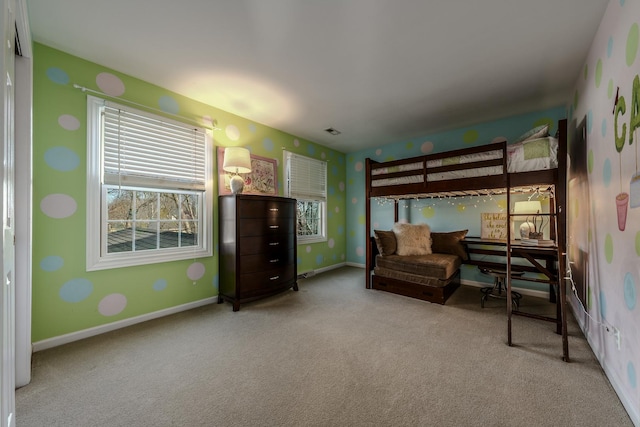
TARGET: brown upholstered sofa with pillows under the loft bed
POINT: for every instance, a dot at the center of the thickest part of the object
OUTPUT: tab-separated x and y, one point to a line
411	260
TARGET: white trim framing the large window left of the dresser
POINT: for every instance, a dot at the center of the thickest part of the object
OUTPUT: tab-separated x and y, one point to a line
96	210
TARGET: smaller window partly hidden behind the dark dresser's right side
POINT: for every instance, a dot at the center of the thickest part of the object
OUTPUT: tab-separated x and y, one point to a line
306	181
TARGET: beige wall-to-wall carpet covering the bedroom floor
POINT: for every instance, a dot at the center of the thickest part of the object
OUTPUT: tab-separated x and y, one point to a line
332	354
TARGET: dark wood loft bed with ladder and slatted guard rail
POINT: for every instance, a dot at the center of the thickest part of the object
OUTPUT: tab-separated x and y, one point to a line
495	168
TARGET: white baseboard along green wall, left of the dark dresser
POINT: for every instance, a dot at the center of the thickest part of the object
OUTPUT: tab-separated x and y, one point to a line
86	333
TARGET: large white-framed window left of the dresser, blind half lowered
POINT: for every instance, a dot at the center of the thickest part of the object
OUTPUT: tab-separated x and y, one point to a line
148	188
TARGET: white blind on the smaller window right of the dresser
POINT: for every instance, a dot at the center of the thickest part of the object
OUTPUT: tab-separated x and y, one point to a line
306	178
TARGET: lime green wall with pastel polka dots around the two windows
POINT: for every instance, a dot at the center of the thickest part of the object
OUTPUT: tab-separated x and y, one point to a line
68	299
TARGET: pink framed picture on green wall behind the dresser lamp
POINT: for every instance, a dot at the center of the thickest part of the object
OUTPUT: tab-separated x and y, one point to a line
263	178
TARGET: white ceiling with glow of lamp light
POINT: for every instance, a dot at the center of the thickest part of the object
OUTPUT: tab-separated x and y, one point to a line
379	71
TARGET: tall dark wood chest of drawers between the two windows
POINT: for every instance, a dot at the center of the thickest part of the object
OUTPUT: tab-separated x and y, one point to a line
258	252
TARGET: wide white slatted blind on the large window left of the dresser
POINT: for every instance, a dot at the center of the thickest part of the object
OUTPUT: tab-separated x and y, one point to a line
144	150
